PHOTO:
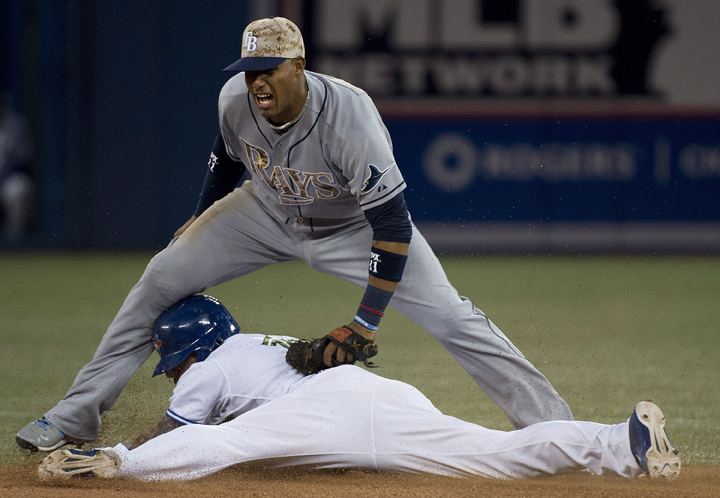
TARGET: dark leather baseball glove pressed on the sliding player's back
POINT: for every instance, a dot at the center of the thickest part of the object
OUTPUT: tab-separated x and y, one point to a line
307	356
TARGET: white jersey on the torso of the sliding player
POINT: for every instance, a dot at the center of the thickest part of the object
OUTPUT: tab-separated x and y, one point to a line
247	371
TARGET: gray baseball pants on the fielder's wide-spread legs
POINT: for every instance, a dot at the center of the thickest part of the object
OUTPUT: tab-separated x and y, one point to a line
236	236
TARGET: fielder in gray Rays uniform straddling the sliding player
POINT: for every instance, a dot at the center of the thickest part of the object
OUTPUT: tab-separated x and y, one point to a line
325	189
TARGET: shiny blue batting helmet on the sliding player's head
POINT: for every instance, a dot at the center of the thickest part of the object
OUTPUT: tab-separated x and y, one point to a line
198	323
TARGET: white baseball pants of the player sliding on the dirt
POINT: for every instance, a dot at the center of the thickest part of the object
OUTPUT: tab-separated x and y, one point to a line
347	417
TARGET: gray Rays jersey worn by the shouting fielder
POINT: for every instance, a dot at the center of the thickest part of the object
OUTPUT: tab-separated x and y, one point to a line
335	162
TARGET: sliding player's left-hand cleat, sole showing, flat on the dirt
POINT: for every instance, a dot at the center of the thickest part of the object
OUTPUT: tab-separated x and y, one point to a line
77	463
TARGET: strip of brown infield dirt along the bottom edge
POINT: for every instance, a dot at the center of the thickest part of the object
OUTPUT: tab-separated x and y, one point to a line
20	481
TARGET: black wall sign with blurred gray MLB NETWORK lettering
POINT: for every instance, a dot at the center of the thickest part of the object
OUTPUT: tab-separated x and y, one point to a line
494	48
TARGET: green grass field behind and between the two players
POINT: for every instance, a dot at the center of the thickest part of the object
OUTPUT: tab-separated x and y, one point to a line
607	331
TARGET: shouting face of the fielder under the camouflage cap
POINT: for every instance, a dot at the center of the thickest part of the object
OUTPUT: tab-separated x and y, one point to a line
279	93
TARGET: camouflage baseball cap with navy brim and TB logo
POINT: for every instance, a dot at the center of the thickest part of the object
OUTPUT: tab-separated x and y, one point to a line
267	43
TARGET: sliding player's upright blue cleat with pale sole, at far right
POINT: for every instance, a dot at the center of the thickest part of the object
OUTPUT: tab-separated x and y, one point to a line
649	442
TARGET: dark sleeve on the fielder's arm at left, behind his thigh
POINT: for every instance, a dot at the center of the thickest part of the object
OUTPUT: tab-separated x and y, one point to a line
222	175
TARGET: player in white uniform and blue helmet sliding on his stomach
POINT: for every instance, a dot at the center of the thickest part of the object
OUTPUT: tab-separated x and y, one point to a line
237	401
